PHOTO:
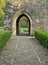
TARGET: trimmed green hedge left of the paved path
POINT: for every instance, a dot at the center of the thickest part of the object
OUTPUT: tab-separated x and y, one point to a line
4	37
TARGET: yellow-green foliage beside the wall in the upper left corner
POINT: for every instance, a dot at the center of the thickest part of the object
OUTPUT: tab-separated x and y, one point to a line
2	7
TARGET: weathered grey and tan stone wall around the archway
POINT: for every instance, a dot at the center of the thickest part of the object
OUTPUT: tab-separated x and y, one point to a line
37	8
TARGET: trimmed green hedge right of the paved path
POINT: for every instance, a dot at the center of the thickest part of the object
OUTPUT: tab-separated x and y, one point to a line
42	37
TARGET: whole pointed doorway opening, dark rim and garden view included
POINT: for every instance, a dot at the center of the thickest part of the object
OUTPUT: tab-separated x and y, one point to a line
24	25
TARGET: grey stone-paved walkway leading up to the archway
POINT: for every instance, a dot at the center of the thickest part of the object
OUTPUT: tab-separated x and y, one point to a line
23	50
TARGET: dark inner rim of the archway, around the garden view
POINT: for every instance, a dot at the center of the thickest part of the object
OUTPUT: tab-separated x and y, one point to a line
17	25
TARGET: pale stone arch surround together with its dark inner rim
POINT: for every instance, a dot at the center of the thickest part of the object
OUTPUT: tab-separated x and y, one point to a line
16	18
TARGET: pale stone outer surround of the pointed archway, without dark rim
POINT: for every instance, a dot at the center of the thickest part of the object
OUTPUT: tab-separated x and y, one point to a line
15	18
